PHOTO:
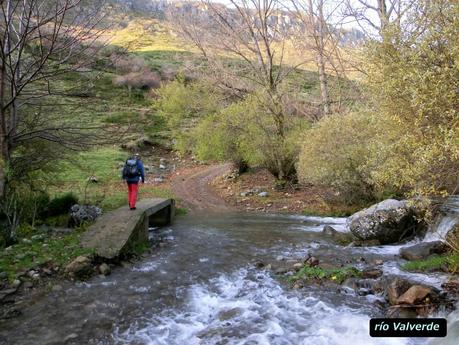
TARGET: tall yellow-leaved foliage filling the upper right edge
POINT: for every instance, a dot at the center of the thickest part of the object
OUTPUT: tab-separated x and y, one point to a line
413	78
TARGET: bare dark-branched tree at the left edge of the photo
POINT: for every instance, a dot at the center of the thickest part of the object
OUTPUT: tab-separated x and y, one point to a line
41	40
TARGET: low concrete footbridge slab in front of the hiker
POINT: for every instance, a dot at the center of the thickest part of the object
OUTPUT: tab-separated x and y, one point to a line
120	232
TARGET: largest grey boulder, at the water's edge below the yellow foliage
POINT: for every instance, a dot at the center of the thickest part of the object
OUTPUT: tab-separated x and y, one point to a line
388	221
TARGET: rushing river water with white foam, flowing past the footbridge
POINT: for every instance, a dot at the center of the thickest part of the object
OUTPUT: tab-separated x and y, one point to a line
202	288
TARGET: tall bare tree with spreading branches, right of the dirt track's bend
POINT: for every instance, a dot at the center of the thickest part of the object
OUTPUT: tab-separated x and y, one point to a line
243	46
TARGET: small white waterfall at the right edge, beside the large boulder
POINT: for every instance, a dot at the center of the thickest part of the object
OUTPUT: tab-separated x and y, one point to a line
448	218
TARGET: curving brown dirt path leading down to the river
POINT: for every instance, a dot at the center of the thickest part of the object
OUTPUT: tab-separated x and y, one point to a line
195	191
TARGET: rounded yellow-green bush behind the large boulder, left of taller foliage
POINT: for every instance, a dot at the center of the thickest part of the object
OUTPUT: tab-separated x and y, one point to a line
343	152
